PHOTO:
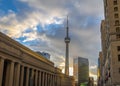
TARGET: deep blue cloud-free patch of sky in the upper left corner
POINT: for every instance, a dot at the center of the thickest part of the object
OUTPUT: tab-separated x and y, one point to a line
13	5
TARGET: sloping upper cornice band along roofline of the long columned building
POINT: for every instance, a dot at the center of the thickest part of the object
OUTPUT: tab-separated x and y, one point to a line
12	43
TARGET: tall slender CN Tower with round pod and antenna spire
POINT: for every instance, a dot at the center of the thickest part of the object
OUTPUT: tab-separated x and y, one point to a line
67	41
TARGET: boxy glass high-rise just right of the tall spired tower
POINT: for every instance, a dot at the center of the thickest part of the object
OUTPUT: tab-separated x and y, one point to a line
81	70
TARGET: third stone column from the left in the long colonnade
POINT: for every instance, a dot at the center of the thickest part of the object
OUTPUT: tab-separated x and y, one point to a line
17	74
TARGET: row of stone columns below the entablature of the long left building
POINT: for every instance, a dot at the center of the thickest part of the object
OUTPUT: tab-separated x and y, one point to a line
17	74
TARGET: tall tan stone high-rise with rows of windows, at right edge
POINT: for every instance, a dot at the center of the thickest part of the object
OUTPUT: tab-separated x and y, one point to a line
110	38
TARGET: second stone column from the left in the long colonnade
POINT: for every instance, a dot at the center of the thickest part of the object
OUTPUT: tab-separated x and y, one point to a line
11	74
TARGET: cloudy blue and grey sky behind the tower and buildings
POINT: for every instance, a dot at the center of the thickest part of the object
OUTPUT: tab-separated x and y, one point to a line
41	26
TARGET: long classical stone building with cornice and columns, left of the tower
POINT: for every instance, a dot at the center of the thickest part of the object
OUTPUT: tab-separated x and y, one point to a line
20	66
